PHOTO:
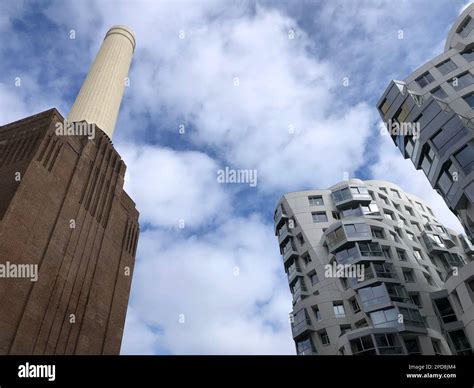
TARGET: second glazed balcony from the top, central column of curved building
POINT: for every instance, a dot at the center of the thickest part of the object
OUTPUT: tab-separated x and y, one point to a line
346	232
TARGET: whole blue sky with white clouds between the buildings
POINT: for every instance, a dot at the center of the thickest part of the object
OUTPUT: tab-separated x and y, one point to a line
284	88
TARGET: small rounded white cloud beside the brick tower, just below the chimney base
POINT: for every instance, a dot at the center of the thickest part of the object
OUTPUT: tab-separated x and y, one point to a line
169	186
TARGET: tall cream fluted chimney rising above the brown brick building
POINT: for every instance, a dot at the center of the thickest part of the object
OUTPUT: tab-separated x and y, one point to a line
98	101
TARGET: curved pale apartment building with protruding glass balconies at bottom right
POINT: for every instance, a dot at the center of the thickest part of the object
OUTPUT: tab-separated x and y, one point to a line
416	292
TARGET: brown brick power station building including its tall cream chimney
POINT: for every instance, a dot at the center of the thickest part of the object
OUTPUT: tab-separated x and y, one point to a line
64	213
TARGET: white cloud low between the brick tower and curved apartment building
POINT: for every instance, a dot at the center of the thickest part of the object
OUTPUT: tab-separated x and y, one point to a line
227	284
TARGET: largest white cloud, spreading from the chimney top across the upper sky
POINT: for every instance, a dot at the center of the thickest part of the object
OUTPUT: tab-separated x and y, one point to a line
281	86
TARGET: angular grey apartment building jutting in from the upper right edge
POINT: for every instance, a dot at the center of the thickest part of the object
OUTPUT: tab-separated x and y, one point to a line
439	99
